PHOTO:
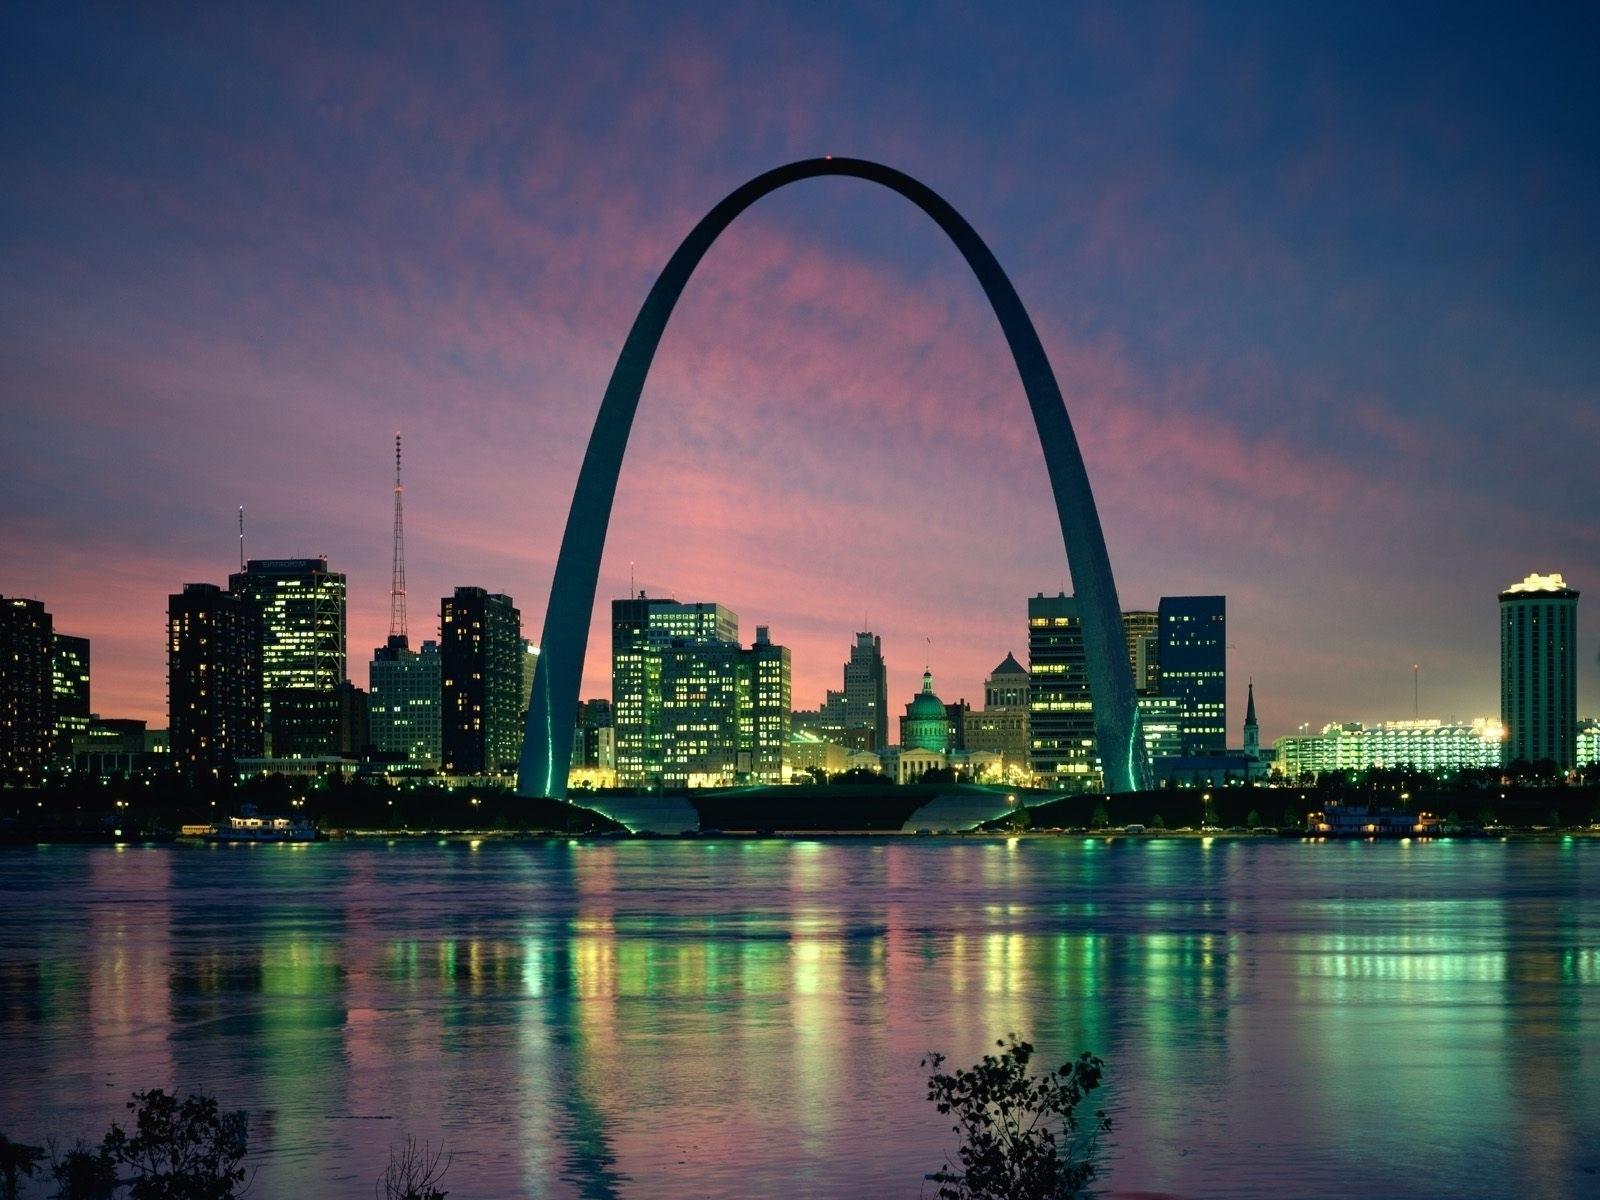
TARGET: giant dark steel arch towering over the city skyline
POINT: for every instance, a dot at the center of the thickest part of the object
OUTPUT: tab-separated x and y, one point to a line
553	710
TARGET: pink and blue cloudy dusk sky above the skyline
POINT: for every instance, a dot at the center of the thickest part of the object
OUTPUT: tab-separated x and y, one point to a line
1321	292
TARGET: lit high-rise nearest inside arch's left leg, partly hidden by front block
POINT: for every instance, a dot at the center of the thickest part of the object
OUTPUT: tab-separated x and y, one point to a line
641	630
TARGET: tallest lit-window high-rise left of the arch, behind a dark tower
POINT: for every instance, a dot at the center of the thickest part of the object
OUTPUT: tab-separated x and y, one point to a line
303	649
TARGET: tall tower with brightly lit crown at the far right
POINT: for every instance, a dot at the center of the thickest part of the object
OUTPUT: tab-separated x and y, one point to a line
1540	671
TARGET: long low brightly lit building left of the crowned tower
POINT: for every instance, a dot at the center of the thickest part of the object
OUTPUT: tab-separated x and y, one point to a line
1433	746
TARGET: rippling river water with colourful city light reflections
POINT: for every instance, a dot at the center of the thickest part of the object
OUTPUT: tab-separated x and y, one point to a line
746	1018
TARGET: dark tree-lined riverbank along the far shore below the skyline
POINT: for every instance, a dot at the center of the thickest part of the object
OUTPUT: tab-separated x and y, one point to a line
158	807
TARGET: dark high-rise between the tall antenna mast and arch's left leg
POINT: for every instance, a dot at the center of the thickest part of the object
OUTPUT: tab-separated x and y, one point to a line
481	660
